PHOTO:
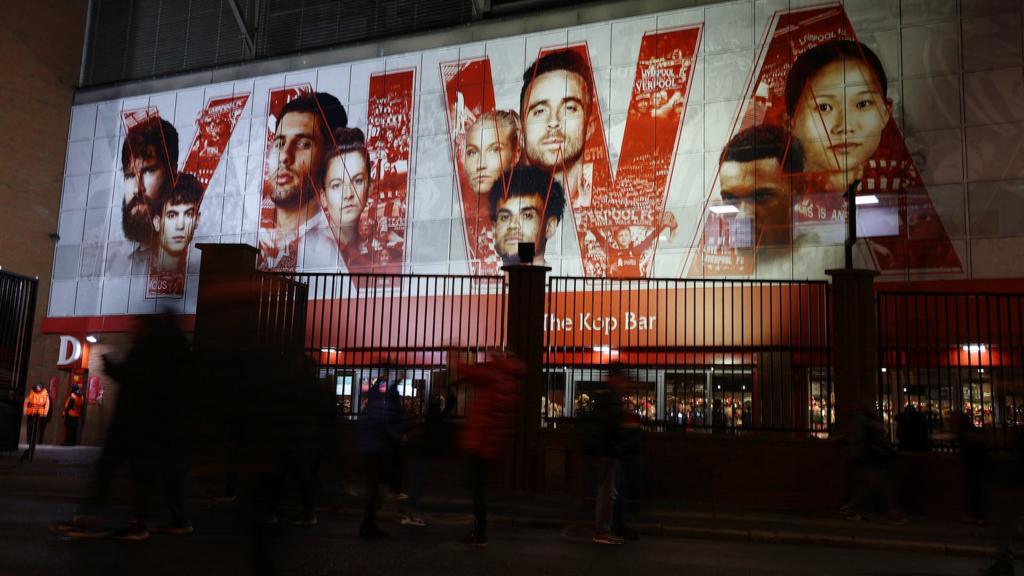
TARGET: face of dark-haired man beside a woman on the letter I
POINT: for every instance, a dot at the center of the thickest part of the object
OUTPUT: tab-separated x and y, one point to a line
296	154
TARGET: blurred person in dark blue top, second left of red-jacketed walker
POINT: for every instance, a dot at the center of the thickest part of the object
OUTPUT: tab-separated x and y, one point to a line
379	435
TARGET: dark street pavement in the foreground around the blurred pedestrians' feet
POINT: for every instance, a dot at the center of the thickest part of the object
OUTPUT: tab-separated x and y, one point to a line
46	490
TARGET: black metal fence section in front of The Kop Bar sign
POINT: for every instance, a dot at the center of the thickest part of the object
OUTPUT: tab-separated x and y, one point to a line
719	356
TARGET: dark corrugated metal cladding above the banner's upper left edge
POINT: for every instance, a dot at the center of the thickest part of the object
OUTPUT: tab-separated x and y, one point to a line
136	39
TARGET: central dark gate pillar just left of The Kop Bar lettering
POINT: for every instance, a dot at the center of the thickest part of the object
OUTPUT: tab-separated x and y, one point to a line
525	337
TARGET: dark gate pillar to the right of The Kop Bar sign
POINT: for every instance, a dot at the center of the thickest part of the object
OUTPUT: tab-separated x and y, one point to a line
855	339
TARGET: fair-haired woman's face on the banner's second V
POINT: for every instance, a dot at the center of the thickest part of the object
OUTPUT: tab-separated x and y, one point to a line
490	153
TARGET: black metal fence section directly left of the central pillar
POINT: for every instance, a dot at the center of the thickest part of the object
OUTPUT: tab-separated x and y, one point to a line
408	328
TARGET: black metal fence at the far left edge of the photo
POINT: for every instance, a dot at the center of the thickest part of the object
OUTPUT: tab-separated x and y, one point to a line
18	309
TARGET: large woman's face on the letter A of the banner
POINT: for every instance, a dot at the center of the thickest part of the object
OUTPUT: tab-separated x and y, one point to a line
840	117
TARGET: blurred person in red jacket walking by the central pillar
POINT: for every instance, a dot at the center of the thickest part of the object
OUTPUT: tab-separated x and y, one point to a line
490	421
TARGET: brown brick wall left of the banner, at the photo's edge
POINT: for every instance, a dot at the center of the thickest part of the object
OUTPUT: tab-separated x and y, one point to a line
40	57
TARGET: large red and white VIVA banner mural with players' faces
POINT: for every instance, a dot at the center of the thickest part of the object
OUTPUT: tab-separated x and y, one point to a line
664	146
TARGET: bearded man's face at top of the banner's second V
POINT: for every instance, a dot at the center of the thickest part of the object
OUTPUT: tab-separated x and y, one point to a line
556	119
